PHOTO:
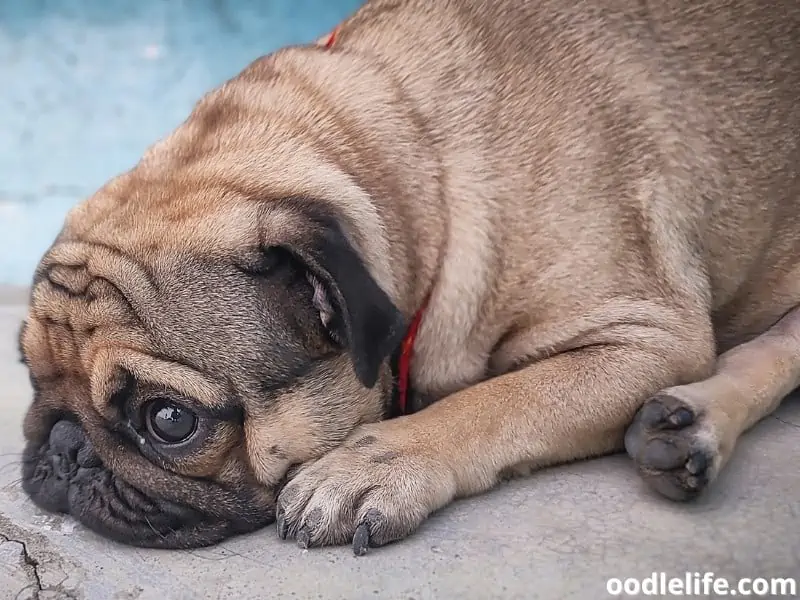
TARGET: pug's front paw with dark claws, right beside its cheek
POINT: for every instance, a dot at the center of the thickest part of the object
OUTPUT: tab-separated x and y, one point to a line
376	488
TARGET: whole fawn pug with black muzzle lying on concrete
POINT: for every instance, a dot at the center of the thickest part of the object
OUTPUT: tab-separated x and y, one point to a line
600	200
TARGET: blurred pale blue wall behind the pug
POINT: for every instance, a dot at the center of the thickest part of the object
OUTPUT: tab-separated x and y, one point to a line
87	85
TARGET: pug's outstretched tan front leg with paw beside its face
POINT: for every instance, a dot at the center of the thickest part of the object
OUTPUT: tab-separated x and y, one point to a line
389	476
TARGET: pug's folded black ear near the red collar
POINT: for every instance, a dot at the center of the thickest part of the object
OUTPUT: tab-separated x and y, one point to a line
371	325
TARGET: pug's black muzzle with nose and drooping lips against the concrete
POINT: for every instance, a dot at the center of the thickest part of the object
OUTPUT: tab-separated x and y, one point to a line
65	475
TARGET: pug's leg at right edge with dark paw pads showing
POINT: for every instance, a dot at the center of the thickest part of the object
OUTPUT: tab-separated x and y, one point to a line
684	435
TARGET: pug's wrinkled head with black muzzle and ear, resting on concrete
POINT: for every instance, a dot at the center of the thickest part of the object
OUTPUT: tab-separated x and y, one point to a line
183	360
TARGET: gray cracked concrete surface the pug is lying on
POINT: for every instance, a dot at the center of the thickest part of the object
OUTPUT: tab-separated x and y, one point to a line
557	535
